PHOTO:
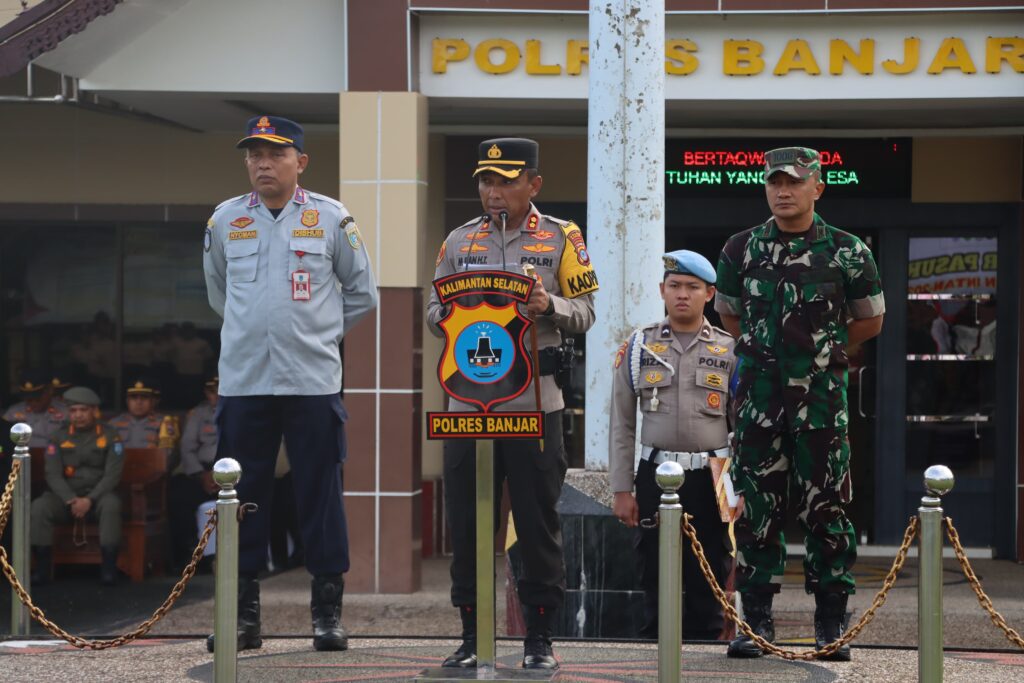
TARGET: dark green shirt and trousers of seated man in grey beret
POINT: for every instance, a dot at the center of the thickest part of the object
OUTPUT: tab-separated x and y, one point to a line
89	464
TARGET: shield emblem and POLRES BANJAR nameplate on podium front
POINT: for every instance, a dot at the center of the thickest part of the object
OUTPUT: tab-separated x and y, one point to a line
486	362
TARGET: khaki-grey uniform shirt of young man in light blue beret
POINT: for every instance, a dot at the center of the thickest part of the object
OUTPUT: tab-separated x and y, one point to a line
693	404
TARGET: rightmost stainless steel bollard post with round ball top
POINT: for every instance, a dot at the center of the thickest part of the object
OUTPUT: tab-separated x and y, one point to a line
938	482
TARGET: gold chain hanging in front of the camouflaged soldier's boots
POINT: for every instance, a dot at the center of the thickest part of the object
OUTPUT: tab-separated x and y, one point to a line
831	649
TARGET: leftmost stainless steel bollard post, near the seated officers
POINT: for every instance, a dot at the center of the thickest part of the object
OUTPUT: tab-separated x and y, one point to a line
21	547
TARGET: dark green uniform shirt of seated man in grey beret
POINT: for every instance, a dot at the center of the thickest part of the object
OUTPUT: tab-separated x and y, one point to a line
84	463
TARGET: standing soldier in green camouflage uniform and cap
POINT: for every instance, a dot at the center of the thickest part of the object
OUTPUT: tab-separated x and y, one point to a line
796	292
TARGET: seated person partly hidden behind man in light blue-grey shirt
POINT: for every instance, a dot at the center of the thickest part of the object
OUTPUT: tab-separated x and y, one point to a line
195	485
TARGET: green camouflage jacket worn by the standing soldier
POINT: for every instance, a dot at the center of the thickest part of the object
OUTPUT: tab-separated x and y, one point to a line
794	300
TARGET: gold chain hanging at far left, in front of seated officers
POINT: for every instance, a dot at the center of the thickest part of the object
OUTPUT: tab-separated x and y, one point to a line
83	644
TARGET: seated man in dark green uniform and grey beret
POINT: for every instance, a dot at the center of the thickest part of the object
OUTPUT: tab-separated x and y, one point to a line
83	469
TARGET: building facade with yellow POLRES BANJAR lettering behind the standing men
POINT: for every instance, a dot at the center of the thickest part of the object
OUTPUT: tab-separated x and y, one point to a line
918	109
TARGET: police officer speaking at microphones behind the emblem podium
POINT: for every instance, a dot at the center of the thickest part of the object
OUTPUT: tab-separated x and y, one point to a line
510	235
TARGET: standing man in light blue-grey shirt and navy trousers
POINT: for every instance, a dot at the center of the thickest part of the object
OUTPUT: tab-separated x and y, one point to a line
288	272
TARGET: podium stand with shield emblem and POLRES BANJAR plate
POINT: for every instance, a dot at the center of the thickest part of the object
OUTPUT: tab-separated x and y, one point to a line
485	364
